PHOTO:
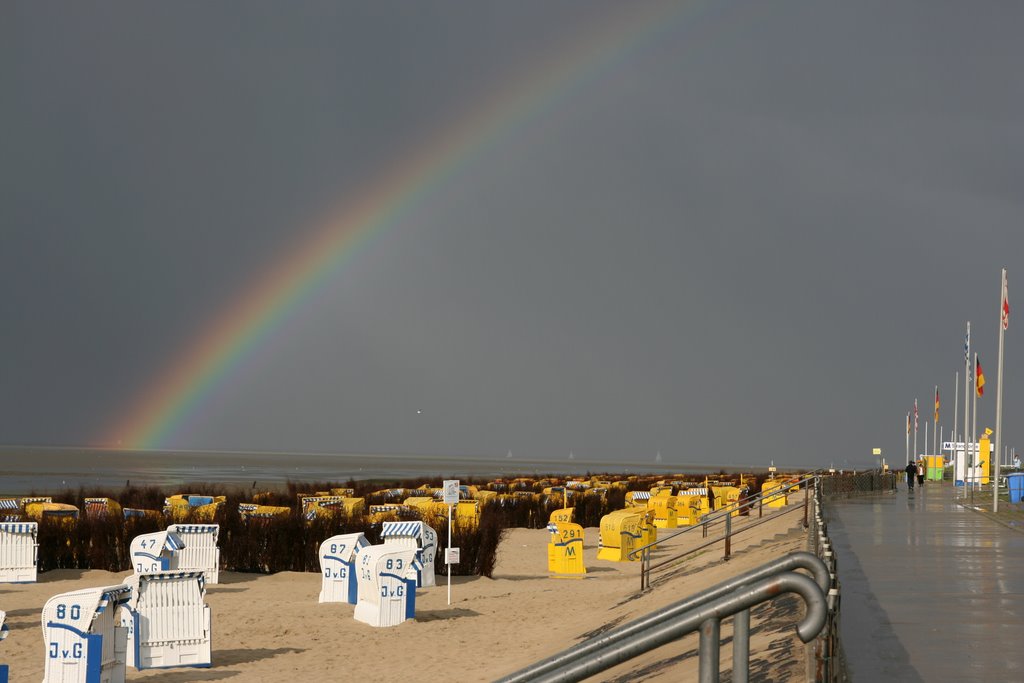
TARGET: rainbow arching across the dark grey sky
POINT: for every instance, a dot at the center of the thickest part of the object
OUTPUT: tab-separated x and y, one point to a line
179	393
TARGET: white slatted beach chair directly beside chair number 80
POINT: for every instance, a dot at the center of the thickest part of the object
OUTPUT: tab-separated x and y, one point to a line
168	621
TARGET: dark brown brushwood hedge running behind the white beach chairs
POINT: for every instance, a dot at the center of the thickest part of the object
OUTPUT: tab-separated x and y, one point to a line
291	543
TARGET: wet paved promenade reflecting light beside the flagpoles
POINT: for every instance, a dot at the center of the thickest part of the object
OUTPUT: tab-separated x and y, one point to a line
930	591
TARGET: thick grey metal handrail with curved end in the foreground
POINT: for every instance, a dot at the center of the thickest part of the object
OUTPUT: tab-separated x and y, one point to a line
703	613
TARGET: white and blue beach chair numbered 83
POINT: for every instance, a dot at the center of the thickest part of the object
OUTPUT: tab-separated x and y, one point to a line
388	585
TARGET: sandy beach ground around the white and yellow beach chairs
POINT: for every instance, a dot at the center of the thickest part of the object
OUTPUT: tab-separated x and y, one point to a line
271	628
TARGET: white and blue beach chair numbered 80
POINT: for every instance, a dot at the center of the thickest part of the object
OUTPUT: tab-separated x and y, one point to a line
84	643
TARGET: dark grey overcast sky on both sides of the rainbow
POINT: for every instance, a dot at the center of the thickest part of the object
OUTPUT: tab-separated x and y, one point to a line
756	234
